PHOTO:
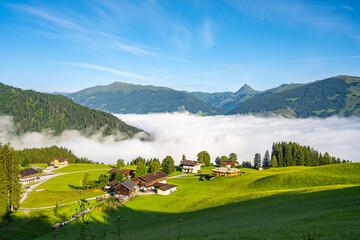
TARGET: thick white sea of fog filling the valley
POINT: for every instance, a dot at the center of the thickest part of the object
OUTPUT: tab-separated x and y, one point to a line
176	134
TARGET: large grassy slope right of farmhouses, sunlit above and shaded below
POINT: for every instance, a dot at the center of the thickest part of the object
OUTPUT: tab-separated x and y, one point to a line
285	203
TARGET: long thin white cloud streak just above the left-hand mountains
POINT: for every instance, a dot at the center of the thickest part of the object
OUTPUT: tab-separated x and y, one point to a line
106	69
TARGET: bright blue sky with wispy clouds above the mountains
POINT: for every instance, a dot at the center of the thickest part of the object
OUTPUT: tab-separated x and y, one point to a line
187	45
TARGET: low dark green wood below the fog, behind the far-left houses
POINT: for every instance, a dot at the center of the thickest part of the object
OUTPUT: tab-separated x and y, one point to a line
45	155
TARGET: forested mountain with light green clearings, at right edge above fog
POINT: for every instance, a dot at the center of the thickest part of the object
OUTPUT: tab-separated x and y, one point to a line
333	96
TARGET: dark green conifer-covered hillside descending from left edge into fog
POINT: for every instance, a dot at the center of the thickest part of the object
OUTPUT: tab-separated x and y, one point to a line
34	111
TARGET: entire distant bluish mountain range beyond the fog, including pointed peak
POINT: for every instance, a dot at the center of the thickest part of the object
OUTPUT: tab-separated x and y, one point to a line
338	95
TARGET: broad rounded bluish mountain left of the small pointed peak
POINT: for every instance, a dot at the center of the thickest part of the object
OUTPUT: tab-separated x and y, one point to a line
120	97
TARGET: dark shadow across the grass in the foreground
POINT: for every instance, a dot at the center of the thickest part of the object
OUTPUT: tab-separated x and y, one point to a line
327	214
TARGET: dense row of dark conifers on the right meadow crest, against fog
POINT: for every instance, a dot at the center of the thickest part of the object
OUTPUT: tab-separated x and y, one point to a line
293	154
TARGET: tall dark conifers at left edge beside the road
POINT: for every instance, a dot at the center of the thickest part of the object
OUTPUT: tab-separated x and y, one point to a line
10	187
